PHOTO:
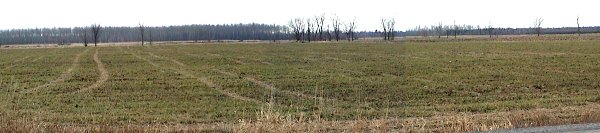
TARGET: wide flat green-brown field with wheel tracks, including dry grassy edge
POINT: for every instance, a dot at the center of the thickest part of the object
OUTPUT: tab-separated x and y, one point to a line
408	86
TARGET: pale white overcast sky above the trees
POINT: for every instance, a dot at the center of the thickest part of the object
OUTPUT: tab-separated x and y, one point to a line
408	13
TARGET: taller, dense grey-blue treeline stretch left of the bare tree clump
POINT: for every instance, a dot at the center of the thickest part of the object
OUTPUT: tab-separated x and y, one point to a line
251	31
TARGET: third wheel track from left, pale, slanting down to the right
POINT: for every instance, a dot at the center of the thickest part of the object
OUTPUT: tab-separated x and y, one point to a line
204	80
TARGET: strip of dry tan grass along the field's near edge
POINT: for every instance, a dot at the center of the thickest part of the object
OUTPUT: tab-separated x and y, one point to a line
272	121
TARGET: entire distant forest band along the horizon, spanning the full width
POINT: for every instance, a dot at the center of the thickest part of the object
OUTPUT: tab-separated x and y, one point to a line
251	31
